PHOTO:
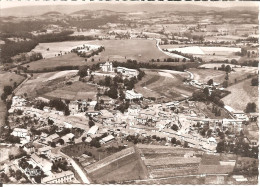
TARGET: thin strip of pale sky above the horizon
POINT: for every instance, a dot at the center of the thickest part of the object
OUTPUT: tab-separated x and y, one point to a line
19	3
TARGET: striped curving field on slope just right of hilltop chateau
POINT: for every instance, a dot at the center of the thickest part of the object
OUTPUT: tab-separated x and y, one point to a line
160	83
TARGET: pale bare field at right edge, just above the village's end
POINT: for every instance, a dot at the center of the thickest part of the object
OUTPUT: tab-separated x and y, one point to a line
242	93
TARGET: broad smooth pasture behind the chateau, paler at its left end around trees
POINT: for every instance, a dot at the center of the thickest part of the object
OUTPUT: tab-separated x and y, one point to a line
120	50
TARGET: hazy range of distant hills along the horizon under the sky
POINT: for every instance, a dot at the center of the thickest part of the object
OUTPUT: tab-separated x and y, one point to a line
114	6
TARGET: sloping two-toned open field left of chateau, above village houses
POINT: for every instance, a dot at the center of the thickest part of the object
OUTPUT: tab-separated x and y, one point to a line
52	85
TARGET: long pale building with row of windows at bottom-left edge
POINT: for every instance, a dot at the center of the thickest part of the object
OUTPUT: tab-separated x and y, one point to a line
59	178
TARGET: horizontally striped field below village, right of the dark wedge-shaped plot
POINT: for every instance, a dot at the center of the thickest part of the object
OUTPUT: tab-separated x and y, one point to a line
163	161
